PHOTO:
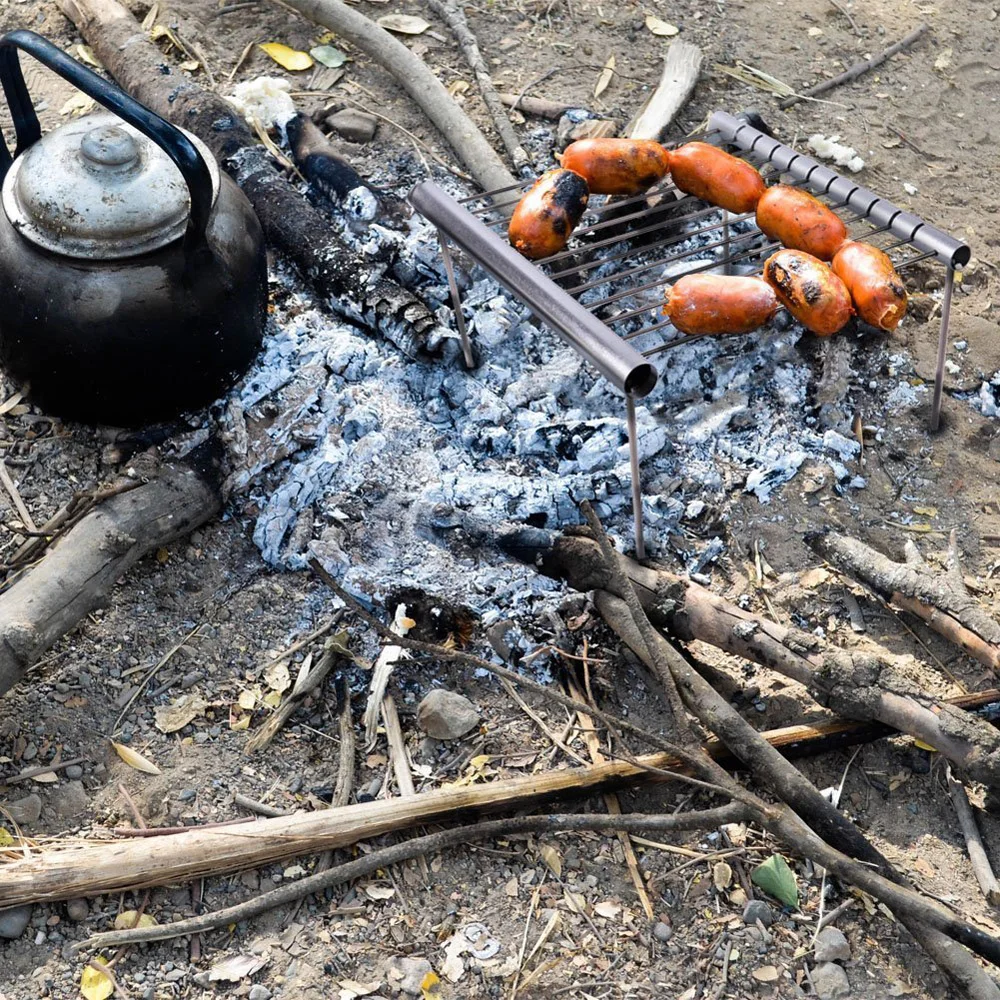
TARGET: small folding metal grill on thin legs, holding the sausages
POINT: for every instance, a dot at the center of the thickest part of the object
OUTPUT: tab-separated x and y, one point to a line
636	246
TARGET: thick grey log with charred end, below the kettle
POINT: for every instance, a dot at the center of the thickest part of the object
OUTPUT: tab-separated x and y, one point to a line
81	568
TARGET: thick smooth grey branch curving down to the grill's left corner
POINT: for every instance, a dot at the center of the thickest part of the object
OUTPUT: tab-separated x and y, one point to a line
413	75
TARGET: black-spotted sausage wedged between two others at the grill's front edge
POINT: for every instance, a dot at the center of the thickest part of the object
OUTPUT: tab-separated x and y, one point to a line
810	291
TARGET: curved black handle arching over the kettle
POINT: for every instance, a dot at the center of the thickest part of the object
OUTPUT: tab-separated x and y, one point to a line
168	137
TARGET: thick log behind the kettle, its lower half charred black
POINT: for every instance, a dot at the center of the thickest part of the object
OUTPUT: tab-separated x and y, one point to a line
340	276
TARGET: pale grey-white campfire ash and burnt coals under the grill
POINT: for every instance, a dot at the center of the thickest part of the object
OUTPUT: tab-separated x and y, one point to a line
395	471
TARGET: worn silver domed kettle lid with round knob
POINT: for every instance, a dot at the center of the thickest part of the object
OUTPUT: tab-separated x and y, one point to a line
98	189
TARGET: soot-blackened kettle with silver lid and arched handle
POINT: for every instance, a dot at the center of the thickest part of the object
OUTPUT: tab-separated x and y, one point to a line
133	278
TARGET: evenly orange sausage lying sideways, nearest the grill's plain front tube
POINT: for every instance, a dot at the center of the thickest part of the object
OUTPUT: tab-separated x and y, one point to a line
720	304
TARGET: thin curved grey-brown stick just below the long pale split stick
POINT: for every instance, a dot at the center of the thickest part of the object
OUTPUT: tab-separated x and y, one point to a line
416	847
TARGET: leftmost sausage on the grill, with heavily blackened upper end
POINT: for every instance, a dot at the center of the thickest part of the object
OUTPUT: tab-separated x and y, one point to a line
547	214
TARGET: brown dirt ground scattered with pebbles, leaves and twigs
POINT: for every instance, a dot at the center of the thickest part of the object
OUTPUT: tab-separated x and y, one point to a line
928	119
